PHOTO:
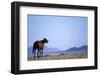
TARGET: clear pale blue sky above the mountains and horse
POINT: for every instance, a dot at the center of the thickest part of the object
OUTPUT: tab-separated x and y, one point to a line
63	32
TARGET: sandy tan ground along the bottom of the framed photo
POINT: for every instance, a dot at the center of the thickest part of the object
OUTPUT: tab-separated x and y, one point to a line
62	56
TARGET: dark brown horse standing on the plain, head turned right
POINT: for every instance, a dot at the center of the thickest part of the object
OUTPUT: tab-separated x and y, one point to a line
38	46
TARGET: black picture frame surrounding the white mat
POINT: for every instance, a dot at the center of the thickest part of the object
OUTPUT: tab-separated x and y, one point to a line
15	35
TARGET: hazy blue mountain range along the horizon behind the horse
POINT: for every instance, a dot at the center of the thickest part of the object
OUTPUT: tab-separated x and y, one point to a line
55	51
